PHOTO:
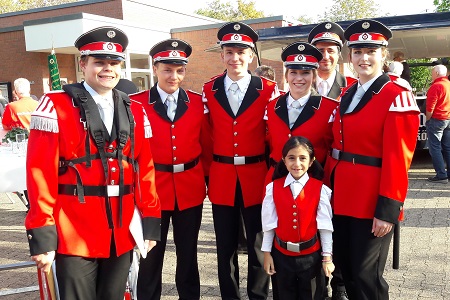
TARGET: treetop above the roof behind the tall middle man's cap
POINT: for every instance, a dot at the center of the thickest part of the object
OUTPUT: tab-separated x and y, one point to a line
229	12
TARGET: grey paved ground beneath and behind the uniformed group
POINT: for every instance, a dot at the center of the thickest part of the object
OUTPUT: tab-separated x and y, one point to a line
424	255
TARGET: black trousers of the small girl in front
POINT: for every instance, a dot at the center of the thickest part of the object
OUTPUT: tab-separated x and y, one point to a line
296	275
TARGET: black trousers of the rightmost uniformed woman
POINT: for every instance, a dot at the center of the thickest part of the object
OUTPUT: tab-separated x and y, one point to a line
362	257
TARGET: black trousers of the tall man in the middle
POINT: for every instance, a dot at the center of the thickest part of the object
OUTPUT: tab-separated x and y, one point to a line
226	226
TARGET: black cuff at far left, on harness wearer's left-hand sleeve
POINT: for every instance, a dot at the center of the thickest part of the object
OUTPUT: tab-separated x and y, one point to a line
42	239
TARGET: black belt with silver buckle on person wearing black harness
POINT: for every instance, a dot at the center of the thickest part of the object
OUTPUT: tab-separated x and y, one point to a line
93	190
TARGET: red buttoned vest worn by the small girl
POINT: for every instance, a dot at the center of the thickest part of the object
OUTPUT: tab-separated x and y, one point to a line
297	217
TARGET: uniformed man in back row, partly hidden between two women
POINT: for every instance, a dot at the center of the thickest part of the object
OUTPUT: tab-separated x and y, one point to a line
328	37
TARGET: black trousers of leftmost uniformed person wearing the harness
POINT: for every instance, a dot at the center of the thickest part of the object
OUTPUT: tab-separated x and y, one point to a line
93	278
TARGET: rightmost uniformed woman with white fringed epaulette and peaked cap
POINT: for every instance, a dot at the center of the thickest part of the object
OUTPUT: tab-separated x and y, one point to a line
374	138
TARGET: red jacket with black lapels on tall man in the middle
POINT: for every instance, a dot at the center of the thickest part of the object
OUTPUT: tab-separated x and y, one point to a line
243	135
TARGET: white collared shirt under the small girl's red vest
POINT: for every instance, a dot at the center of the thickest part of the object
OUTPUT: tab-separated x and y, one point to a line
269	217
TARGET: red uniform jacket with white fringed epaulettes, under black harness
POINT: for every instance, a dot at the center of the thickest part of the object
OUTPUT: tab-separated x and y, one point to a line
60	222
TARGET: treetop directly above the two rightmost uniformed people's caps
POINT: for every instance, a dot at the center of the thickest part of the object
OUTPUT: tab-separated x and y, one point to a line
343	10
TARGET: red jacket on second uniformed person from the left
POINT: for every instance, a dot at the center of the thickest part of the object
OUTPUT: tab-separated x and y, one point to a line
176	142
